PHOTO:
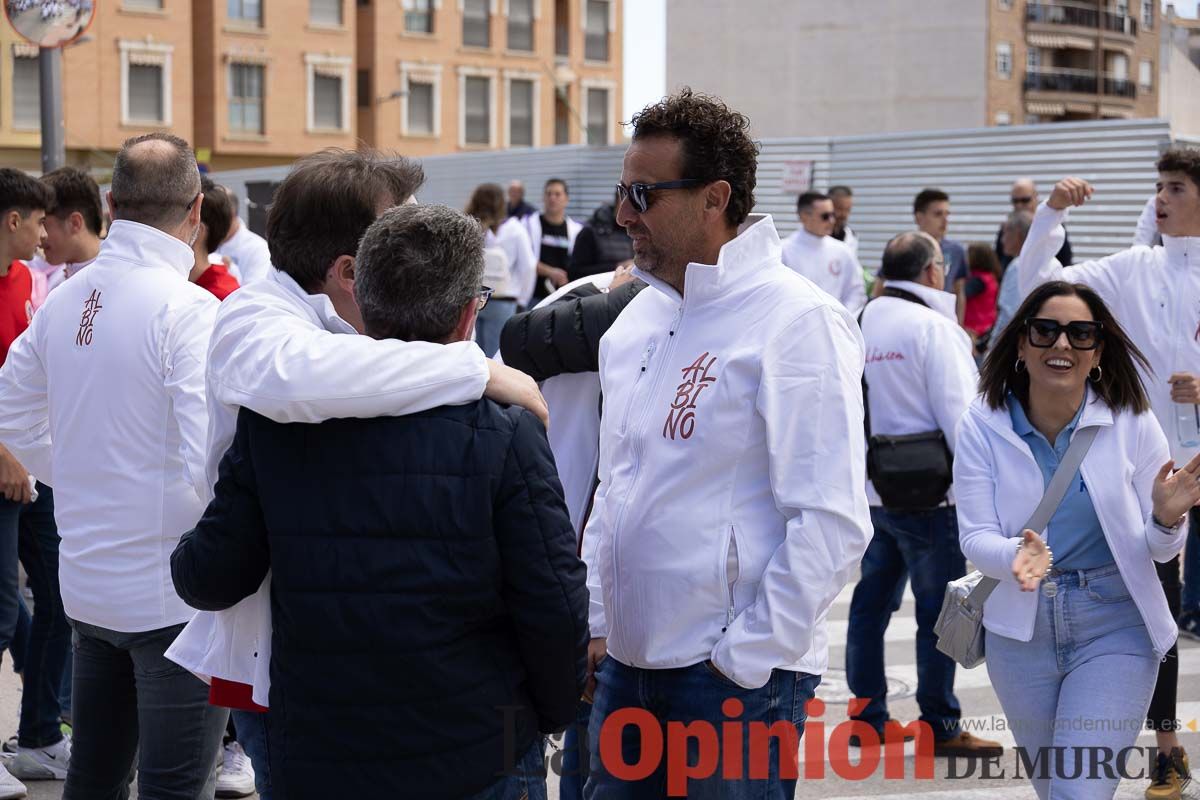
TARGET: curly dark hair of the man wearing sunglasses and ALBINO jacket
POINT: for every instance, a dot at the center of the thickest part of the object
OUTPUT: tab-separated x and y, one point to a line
717	145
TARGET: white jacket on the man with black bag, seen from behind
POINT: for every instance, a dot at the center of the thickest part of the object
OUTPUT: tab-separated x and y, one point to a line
921	375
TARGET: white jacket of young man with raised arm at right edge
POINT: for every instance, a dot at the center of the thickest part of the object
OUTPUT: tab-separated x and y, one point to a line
1155	294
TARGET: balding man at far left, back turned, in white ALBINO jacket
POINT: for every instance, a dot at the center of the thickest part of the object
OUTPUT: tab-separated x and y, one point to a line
104	400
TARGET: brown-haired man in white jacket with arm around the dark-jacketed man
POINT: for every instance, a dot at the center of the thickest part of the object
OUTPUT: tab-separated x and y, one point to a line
287	348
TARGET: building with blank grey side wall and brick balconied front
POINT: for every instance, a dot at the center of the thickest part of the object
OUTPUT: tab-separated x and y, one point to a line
802	68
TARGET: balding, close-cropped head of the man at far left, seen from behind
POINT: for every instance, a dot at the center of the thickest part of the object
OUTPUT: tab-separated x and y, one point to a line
155	184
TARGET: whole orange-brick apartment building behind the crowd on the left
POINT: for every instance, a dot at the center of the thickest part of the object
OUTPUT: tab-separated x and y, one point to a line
262	82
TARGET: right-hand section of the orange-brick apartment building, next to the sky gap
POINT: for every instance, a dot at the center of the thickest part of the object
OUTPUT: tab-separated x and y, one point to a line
451	76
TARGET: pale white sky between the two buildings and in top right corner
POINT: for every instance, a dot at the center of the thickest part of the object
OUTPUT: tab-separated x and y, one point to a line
646	69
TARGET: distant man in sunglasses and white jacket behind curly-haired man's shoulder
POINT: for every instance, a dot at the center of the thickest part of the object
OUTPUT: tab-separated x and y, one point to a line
813	252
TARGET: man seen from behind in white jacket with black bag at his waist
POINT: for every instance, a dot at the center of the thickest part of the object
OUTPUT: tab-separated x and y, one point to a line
921	377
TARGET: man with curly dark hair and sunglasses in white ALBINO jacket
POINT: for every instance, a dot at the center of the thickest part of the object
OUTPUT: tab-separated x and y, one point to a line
731	508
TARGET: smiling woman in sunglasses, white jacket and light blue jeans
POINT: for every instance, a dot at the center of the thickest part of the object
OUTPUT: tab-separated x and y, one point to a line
1079	623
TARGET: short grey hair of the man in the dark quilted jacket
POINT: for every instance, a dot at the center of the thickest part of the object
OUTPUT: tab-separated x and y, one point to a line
417	267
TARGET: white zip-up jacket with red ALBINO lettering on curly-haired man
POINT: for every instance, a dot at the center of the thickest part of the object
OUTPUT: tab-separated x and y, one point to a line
731	508
